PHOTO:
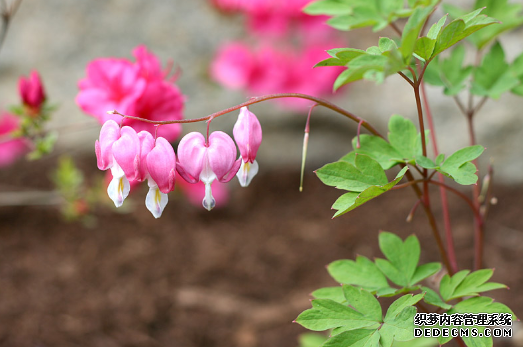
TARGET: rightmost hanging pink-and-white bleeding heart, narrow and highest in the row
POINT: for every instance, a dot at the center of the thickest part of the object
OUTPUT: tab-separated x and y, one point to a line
248	135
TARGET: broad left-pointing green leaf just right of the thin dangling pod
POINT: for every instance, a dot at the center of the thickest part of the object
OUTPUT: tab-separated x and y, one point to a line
364	174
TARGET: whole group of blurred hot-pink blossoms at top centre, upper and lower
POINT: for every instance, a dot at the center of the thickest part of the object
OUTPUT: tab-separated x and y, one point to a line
287	44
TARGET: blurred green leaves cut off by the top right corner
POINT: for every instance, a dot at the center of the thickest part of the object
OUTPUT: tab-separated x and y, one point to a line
509	15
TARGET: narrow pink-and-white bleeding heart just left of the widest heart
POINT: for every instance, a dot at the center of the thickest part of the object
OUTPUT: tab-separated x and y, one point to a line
161	166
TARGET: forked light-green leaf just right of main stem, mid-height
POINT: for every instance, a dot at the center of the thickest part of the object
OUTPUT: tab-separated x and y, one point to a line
458	166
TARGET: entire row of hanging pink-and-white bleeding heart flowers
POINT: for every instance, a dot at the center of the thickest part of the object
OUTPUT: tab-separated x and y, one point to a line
135	157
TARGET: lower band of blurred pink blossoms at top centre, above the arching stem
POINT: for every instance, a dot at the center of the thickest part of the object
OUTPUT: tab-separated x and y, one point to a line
266	70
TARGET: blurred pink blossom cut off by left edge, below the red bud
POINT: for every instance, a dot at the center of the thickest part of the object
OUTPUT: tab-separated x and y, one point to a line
10	149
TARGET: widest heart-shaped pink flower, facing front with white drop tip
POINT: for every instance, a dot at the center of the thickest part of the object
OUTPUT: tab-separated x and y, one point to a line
199	160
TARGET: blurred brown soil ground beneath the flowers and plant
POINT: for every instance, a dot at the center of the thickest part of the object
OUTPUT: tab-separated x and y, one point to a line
232	277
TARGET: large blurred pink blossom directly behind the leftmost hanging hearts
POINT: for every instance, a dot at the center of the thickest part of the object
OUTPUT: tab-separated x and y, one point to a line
139	89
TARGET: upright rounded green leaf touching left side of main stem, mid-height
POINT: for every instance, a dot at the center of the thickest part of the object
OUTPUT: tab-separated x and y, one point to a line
403	136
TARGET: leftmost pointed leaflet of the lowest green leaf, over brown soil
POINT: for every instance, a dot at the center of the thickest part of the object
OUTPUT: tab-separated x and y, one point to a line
327	314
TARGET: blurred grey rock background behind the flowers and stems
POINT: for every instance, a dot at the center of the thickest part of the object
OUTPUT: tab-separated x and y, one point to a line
59	38
